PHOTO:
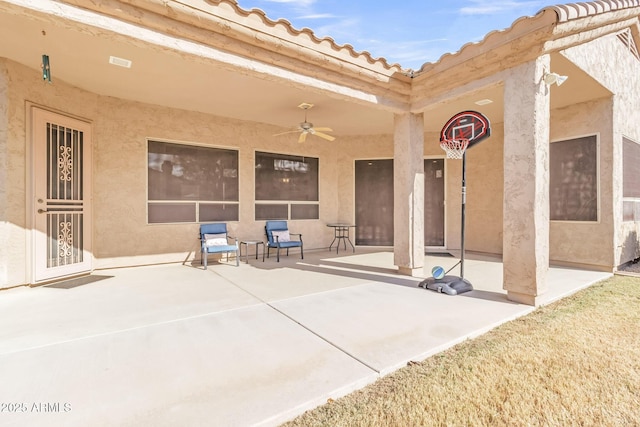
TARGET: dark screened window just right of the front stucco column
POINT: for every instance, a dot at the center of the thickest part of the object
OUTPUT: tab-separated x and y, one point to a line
573	183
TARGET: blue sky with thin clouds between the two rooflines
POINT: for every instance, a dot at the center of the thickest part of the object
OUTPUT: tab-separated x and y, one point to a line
407	32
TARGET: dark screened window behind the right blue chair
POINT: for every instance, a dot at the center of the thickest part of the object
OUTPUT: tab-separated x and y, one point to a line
286	187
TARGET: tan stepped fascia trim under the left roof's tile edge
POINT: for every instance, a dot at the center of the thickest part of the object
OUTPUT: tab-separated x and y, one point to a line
248	39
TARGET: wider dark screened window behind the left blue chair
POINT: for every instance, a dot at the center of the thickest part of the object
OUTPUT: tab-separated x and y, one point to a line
189	183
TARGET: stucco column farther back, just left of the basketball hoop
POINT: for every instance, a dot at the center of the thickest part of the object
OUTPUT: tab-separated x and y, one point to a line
408	194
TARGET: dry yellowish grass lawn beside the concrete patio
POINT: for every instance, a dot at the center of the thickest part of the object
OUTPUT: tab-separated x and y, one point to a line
573	363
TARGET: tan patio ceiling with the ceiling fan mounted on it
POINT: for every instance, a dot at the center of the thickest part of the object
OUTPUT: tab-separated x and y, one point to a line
79	56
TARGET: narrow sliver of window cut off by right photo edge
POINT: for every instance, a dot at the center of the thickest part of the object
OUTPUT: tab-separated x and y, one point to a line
630	180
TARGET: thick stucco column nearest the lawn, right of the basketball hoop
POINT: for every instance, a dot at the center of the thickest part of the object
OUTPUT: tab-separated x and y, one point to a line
526	183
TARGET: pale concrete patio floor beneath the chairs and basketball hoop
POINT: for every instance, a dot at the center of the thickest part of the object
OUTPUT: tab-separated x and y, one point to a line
256	344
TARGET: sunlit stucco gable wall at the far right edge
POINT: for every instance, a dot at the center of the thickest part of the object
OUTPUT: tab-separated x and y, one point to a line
609	62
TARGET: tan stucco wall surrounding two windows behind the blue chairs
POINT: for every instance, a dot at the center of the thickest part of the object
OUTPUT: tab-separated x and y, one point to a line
120	219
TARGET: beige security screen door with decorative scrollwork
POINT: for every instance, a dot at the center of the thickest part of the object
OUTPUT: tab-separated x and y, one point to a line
62	189
